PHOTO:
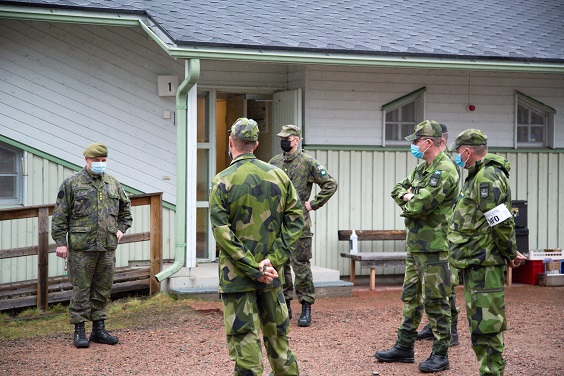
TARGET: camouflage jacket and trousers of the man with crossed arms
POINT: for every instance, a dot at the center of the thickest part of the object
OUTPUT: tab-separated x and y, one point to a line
427	280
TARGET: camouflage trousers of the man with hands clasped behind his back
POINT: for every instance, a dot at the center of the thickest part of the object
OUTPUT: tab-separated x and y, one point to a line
245	314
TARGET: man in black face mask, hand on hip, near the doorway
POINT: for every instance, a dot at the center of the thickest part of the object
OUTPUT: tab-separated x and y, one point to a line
304	171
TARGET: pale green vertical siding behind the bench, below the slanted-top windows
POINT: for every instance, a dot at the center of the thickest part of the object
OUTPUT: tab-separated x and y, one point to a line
363	200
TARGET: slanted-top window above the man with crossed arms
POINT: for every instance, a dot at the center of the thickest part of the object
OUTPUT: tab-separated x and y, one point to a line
401	116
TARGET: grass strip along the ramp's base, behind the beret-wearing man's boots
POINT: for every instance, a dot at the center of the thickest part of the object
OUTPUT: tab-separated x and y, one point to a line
123	313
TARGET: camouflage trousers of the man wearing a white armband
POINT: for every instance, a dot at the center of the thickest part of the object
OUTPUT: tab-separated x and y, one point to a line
485	308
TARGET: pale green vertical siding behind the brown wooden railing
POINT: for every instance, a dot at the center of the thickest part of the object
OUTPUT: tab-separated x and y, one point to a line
44	179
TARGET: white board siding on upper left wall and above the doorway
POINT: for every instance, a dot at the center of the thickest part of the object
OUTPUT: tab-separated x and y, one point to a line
64	86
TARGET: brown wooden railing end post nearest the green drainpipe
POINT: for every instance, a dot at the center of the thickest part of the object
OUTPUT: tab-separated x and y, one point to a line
156	242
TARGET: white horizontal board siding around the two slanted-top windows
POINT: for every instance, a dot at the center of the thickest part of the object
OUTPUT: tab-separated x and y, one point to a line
339	99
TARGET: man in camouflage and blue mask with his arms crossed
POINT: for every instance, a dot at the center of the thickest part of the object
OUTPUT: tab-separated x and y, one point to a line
425	198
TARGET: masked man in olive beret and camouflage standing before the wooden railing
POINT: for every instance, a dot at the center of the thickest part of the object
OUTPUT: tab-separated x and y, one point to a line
92	212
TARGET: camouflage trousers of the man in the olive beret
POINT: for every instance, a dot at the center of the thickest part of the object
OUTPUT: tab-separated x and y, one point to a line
91	275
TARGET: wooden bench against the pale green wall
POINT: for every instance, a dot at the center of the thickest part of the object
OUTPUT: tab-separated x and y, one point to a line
373	259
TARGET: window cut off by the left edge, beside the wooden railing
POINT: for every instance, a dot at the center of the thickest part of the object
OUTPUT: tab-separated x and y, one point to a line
10	176
